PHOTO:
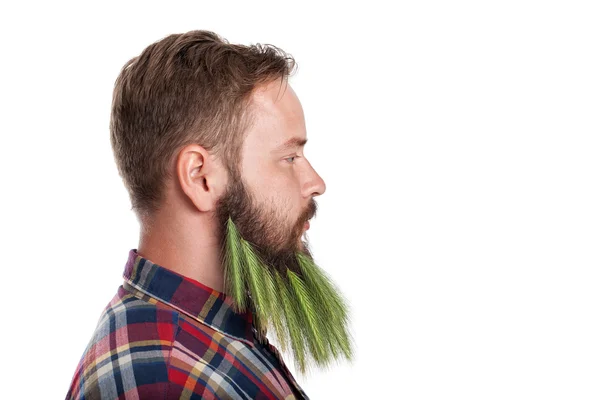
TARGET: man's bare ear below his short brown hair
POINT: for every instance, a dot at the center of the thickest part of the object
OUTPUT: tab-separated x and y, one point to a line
201	176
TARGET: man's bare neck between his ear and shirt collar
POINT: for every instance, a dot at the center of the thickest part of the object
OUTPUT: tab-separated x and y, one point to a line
184	243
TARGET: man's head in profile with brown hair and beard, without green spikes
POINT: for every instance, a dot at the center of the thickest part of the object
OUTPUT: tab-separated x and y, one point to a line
194	98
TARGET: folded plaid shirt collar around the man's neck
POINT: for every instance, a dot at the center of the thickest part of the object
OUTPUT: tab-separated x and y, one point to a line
189	296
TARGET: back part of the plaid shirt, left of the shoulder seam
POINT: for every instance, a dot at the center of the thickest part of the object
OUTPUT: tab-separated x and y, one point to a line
129	351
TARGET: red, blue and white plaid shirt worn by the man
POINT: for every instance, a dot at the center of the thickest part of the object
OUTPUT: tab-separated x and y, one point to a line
165	336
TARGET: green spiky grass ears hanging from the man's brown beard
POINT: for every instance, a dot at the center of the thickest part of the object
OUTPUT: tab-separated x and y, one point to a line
304	308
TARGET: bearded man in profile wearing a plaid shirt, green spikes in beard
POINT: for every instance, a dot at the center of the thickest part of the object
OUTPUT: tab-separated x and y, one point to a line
208	138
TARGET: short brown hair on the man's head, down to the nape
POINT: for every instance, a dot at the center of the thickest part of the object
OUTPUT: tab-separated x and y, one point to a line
186	88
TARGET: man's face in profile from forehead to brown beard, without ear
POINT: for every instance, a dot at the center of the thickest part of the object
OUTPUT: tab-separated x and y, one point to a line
272	200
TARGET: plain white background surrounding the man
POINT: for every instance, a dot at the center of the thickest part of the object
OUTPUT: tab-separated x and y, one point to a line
460	146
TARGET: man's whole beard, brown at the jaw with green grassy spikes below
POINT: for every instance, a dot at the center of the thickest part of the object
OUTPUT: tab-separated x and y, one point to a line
269	270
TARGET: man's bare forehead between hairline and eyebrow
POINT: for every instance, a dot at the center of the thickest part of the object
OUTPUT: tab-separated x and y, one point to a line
278	116
